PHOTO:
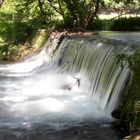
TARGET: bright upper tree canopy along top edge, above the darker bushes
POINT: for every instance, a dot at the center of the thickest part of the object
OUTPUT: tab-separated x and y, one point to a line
75	13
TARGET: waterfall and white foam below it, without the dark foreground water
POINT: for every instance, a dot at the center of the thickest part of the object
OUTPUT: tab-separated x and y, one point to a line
49	95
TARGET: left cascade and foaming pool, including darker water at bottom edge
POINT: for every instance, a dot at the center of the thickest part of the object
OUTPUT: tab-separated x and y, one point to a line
36	95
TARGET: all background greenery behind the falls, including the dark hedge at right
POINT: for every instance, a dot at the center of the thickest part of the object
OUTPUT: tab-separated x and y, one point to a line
20	19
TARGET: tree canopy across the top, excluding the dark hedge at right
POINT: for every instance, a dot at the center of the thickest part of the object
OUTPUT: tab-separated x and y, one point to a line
21	18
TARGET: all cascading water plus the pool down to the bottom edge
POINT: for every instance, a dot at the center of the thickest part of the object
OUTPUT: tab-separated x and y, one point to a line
78	82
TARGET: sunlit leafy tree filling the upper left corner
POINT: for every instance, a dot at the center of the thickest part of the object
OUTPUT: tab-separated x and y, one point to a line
21	18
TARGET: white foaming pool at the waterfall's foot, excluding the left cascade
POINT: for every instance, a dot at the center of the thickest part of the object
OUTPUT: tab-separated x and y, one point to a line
45	97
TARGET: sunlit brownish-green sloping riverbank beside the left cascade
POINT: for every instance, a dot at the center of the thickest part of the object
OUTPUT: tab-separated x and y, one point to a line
28	48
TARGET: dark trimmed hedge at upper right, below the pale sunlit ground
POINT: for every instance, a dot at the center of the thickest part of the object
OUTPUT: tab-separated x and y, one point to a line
126	24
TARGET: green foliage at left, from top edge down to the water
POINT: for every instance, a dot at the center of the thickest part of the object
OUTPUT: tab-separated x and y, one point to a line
20	21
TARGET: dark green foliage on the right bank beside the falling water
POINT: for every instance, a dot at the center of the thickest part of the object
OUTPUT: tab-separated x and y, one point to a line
129	112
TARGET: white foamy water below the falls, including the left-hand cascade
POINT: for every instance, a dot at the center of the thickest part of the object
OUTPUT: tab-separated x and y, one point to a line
27	96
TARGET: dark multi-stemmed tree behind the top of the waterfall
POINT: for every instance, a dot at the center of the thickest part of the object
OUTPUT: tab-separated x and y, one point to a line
76	13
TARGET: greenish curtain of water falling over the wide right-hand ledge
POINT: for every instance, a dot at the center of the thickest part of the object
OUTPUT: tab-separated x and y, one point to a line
96	60
